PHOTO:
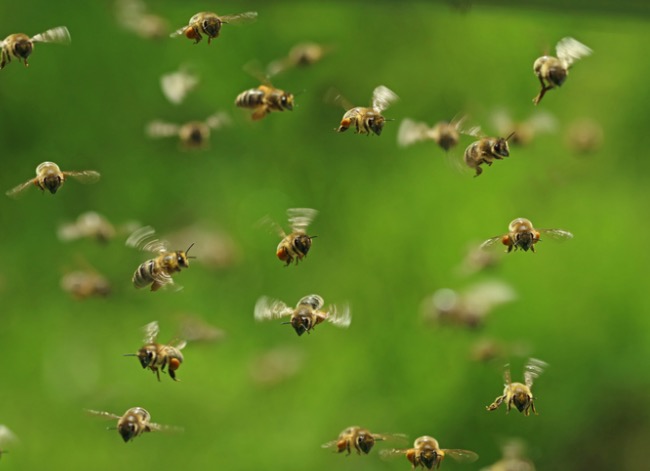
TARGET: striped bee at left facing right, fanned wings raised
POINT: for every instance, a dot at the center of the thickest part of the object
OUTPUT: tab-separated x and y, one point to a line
158	271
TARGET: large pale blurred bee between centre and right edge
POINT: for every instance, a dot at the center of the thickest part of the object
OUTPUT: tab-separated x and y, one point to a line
467	308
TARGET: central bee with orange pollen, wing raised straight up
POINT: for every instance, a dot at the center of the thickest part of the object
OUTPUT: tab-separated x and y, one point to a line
295	245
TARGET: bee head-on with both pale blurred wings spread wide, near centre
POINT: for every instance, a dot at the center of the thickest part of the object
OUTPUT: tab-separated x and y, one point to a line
307	314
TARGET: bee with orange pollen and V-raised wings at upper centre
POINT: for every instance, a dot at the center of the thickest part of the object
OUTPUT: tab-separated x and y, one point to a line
367	120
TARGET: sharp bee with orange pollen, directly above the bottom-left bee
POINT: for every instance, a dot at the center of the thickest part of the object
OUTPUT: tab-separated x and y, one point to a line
157	356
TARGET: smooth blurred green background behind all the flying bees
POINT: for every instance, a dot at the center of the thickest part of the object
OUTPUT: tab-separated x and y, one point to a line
394	225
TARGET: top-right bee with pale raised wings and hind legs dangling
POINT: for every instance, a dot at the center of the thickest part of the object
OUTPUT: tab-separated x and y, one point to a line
552	71
